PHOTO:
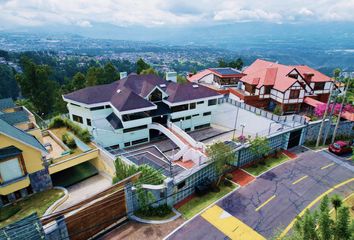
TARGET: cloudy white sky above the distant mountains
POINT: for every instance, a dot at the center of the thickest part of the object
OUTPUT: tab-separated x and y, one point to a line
85	13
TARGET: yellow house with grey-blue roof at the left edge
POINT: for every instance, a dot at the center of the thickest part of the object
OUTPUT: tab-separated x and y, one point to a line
22	155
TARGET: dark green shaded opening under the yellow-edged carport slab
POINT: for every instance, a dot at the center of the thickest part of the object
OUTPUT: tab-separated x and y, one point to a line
74	174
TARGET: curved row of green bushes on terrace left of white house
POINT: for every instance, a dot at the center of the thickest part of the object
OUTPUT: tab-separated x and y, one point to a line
81	133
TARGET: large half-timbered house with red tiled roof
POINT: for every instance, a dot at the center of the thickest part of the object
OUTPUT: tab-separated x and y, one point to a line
266	84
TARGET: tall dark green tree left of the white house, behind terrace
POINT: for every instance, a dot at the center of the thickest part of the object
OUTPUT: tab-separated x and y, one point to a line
36	85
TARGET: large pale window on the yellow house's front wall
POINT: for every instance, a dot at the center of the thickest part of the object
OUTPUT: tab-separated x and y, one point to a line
10	169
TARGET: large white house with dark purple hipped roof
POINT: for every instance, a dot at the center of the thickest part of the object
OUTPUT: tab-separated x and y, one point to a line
119	114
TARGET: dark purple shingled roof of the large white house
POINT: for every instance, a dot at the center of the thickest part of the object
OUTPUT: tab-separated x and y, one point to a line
129	93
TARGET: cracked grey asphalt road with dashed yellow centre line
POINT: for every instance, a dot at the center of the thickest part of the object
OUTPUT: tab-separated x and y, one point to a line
273	200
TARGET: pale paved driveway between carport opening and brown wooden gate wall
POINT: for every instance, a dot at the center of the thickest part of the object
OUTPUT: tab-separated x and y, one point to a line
84	190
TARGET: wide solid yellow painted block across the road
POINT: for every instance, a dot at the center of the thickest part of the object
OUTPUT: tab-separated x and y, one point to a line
230	225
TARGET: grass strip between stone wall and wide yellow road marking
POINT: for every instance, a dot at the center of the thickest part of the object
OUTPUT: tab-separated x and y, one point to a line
197	204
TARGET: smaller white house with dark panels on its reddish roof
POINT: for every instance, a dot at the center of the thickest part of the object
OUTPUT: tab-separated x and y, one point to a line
217	78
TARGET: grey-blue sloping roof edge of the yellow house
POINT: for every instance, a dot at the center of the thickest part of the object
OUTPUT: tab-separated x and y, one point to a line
20	136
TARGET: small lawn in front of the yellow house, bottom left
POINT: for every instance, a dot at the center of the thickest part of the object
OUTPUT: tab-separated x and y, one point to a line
38	202
